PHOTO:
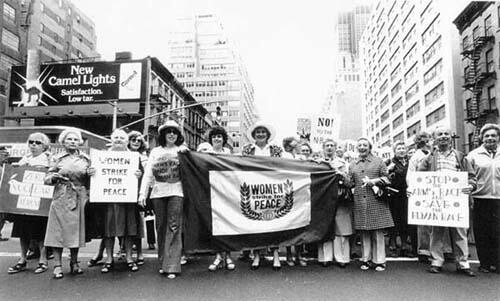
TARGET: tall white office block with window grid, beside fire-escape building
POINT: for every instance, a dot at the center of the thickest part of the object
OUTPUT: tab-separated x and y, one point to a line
411	64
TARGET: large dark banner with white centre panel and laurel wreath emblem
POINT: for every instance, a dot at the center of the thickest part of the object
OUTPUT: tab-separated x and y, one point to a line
235	202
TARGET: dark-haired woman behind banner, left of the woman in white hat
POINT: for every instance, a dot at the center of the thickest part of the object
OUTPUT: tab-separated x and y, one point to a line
217	138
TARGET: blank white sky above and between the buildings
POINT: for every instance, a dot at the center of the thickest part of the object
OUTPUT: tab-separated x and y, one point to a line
287	46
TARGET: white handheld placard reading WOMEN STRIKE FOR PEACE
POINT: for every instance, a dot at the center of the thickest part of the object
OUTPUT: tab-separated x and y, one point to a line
115	180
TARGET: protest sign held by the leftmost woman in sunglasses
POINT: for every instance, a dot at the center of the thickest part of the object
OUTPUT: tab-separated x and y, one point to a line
23	191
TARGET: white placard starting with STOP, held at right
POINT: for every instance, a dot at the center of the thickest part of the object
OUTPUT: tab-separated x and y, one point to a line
437	199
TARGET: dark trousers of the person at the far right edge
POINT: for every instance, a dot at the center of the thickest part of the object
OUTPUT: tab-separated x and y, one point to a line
486	215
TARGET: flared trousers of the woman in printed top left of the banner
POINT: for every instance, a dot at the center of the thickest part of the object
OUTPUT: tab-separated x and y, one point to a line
168	214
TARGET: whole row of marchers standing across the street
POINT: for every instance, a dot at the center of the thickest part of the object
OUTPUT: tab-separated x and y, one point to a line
372	203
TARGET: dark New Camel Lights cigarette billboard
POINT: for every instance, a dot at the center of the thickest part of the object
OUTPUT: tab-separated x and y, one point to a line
76	83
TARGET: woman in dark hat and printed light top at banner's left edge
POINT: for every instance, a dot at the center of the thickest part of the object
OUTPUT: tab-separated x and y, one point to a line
162	174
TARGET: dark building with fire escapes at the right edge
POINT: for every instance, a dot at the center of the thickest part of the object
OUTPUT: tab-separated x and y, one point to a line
479	25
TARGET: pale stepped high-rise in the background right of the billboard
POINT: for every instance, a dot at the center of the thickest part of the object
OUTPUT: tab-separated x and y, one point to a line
206	63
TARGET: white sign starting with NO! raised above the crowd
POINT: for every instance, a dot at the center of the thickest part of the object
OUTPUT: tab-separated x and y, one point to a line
324	127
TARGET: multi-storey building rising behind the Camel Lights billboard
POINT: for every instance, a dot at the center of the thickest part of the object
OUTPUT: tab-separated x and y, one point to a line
55	28
